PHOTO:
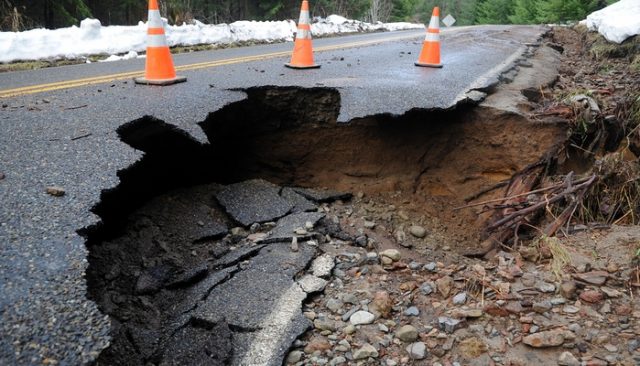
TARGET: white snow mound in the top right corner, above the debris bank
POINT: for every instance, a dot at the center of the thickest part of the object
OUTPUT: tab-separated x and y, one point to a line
616	22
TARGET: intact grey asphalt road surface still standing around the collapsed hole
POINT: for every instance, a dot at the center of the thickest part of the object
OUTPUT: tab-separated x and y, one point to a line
66	137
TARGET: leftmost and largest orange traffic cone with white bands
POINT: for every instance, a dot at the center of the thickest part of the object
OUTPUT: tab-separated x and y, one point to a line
159	68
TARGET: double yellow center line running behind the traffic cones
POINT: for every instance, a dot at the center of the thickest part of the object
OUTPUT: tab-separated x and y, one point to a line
67	84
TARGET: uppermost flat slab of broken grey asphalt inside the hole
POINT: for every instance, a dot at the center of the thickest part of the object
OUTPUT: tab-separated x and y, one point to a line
253	201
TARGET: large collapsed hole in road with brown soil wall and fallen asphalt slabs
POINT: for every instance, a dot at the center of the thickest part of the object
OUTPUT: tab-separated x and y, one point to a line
187	279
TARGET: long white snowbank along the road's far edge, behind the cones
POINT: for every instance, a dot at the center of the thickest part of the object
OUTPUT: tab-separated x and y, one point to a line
91	38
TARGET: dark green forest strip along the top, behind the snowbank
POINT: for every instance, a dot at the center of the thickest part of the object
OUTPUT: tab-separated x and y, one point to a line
18	15
